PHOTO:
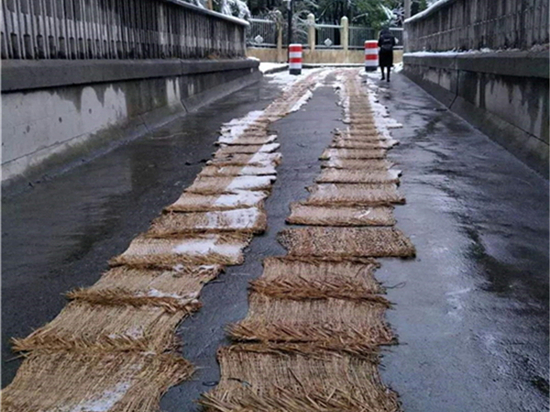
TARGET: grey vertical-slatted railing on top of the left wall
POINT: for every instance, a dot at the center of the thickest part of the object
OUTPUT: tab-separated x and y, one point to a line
117	29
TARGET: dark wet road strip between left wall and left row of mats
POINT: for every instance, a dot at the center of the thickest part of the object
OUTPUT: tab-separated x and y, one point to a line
60	234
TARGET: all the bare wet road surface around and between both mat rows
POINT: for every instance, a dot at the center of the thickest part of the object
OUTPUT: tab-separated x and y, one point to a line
471	311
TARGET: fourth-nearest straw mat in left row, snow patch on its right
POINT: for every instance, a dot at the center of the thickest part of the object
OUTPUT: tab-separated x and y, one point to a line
221	249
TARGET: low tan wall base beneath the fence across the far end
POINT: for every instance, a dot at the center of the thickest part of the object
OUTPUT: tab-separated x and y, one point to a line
318	56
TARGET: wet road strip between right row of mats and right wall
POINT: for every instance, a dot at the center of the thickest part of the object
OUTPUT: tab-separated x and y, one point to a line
472	309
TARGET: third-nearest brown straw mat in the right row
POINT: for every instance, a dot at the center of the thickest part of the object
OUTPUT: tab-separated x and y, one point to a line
286	278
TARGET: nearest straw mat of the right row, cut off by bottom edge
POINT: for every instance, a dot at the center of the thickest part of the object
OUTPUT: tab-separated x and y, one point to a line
254	378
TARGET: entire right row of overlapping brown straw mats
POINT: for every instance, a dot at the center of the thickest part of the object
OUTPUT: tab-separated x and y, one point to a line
316	317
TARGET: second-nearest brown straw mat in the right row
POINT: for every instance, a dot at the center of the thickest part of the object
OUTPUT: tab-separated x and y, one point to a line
329	323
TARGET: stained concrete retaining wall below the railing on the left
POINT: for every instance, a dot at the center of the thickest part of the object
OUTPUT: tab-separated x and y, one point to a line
57	111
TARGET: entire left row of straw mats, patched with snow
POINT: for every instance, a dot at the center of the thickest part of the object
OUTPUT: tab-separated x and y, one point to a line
114	346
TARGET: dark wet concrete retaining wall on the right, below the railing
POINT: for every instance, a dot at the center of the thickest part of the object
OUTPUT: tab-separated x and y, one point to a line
504	94
